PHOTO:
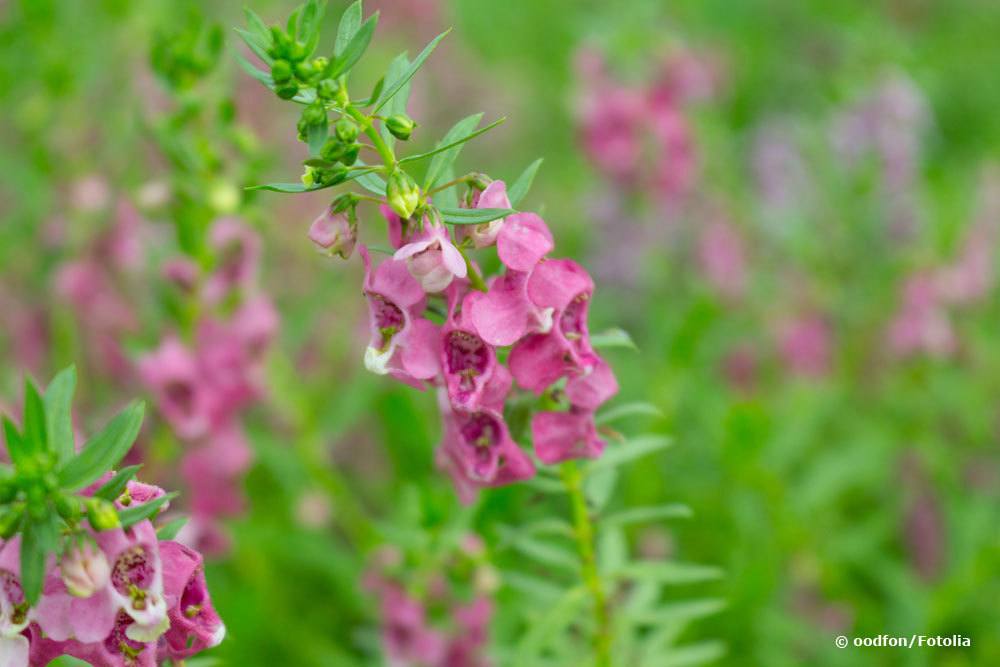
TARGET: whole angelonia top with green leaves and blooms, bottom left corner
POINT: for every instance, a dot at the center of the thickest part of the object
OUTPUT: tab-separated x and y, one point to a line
85	571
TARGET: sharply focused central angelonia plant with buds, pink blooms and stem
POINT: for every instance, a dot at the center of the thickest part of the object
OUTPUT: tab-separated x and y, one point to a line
509	353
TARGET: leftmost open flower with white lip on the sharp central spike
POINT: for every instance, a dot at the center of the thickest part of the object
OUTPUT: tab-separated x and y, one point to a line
403	343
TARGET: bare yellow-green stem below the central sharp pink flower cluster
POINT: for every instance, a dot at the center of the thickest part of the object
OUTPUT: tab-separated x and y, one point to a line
583	530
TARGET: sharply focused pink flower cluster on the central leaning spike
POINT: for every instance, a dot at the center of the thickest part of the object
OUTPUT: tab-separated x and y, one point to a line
536	309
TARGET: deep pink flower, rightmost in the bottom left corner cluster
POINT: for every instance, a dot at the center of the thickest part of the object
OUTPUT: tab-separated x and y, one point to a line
194	623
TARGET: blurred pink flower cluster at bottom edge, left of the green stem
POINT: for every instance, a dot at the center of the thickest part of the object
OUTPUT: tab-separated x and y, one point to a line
443	627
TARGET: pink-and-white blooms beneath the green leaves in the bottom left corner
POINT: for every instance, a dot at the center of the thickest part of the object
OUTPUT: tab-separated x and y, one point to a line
117	597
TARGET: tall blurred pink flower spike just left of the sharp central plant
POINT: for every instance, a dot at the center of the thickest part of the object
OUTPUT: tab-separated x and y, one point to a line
202	388
